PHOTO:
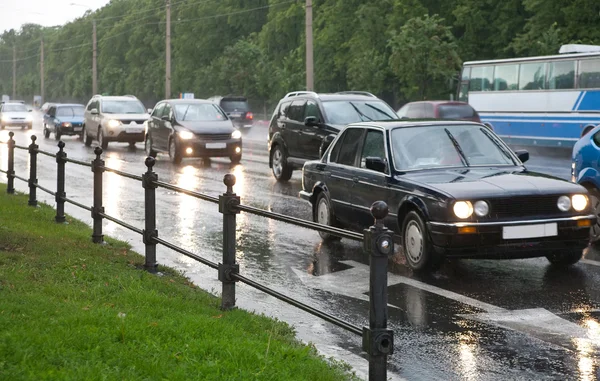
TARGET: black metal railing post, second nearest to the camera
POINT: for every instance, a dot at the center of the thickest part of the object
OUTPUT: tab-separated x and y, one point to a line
228	203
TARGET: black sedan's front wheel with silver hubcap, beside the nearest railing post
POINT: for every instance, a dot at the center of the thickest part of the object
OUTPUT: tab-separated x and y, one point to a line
417	247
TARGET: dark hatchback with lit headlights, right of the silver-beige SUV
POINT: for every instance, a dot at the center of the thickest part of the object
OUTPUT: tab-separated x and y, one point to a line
192	128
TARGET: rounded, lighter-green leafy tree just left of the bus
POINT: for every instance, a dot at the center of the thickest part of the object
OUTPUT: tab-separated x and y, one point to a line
423	56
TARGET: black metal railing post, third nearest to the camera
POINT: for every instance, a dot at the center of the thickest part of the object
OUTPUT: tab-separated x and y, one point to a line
149	179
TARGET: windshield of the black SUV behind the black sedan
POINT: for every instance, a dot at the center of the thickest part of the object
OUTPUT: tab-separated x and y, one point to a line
346	112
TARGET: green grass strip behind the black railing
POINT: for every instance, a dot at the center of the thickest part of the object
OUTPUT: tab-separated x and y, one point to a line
73	310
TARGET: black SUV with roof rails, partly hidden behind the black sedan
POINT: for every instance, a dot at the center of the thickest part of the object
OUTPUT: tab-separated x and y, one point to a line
304	123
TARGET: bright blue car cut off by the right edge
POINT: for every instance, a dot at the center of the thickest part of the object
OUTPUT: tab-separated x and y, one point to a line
585	170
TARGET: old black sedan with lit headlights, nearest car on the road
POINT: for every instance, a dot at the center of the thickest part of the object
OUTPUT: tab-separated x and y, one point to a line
454	189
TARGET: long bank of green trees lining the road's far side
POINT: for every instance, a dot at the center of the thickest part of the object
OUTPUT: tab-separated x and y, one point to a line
257	47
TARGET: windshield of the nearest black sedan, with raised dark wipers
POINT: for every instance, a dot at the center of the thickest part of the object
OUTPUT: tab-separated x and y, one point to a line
447	146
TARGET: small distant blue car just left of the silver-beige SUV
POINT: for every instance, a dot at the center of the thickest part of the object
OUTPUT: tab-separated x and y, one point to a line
64	119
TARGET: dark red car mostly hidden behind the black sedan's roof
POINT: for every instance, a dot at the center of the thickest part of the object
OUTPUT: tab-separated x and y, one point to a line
439	110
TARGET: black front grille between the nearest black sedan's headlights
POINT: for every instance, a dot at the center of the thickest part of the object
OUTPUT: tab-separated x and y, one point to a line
523	206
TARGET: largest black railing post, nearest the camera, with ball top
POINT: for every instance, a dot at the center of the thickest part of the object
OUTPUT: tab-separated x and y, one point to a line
378	341
